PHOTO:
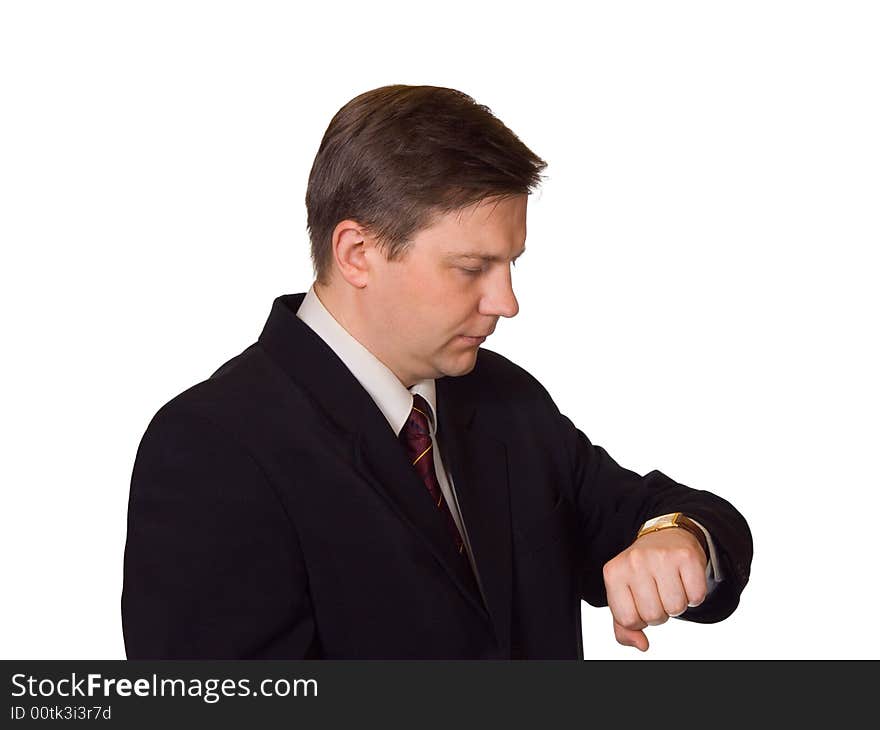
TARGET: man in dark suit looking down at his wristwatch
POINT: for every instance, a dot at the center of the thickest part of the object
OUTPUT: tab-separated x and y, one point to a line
366	481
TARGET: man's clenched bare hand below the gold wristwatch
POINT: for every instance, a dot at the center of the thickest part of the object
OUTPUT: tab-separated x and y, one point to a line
658	576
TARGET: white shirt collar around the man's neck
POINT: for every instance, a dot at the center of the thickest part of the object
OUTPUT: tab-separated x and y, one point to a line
390	395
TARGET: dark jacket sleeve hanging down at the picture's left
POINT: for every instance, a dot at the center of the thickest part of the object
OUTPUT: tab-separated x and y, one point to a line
212	566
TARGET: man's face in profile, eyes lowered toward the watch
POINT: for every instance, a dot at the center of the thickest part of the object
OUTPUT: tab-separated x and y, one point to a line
431	308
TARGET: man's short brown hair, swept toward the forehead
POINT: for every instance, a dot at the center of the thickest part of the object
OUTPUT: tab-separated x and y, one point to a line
395	157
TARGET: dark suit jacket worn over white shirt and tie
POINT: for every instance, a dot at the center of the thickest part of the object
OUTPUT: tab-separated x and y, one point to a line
274	514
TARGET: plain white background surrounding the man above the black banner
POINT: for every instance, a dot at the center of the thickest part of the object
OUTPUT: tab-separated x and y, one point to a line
699	293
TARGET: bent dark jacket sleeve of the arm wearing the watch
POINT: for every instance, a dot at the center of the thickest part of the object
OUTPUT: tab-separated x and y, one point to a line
612	502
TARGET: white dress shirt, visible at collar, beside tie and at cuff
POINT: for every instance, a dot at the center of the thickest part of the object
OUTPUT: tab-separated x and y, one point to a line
395	402
